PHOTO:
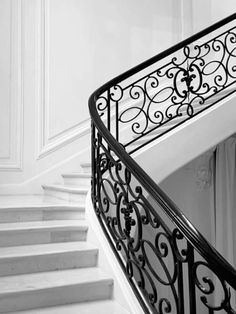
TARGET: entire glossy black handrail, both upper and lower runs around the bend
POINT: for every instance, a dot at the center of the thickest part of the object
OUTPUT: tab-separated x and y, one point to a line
206	250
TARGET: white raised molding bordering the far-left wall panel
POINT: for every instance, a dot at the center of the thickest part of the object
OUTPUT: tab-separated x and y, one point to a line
13	162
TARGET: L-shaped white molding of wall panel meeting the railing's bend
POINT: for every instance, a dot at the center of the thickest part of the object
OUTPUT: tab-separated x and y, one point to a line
47	144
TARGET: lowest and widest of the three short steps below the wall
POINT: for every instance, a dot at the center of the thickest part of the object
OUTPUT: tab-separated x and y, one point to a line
68	193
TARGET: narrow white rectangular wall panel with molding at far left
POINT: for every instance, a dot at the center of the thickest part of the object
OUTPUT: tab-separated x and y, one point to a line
11	105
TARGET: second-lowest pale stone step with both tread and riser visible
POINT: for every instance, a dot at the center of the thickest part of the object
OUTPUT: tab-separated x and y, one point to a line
46	257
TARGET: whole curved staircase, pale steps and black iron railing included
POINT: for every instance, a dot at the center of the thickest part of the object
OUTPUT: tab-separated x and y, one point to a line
46	263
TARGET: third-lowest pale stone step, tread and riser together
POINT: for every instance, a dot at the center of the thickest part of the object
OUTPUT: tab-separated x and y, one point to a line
40	232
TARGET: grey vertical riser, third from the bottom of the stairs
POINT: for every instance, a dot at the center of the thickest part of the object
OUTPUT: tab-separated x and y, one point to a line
25	237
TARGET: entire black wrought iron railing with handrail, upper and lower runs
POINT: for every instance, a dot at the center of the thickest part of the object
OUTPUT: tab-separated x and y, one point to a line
169	264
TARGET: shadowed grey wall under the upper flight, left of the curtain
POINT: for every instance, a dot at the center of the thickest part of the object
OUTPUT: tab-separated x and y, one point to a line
193	196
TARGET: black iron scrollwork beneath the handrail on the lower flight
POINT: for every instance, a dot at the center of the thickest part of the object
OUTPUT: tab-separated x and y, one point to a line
159	262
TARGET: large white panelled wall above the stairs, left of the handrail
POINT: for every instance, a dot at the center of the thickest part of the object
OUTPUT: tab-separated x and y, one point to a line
53	54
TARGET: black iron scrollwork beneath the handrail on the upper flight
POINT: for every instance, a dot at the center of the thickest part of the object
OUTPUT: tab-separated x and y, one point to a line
188	82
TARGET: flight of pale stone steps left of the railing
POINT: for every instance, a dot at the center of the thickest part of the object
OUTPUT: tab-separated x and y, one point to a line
46	263
